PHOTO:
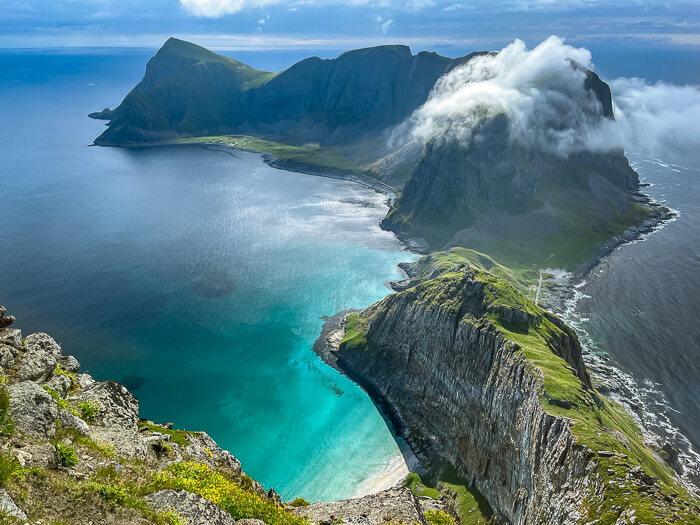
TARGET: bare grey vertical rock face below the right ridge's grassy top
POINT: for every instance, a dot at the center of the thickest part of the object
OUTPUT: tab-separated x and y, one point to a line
466	395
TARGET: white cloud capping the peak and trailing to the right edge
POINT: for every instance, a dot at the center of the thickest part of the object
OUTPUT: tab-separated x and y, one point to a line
548	107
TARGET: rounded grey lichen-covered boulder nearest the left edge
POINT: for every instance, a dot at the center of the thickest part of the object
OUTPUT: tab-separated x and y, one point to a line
32	410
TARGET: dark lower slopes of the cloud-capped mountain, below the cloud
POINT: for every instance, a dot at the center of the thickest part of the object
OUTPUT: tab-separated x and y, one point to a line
494	188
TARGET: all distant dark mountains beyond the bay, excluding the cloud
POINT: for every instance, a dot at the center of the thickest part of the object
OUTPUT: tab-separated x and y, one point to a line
522	204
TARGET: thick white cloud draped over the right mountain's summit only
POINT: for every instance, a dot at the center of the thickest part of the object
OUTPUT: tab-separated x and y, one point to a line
539	91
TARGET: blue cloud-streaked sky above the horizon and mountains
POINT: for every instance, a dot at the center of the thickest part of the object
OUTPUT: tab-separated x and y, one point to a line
334	24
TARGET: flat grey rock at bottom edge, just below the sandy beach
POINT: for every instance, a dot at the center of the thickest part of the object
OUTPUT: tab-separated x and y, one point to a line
397	505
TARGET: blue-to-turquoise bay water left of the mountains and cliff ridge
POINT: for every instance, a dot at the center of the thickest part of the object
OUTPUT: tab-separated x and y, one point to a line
198	278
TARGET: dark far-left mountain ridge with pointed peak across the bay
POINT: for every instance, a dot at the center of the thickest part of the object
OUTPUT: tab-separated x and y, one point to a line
188	90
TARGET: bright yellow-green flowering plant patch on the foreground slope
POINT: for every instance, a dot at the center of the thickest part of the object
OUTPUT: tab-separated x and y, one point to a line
219	488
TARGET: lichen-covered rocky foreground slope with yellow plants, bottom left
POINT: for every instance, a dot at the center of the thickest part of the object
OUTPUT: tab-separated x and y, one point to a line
74	451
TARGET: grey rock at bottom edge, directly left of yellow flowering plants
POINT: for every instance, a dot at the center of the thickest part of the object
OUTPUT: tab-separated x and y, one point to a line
193	508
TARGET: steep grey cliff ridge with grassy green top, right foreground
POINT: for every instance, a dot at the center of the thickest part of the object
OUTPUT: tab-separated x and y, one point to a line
482	379
